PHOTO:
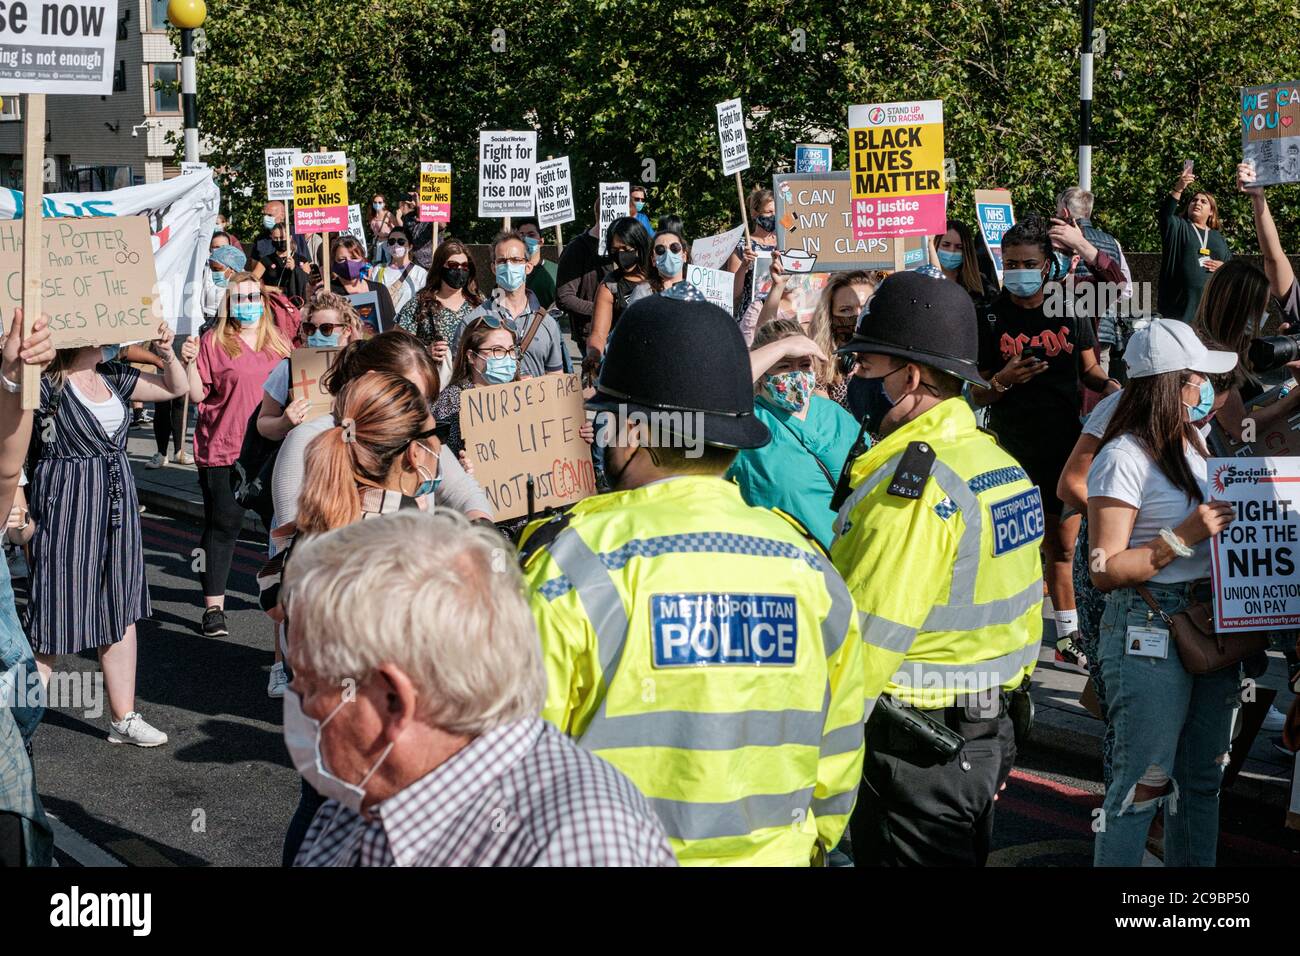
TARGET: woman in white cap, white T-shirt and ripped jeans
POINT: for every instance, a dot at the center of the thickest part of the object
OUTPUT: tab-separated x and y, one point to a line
1150	522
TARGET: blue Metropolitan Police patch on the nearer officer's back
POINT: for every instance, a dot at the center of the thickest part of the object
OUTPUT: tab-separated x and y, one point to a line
705	629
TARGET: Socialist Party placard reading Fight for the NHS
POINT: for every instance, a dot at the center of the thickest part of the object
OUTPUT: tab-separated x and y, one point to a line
1254	560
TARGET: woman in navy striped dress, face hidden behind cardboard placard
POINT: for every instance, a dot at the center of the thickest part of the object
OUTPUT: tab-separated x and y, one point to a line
88	577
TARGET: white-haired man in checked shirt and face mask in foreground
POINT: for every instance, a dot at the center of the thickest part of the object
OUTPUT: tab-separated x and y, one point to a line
414	708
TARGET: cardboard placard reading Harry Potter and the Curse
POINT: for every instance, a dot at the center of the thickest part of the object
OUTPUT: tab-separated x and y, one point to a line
98	282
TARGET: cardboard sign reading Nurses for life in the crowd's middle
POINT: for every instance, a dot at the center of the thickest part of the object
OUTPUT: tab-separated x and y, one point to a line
528	429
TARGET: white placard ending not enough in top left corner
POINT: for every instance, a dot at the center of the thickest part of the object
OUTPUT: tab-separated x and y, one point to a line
58	47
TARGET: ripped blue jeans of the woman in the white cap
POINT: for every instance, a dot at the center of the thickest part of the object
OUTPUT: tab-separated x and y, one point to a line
1168	723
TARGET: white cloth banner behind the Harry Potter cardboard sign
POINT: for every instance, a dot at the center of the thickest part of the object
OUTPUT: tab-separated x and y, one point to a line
181	213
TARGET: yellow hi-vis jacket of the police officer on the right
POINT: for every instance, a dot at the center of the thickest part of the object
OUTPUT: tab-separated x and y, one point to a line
950	586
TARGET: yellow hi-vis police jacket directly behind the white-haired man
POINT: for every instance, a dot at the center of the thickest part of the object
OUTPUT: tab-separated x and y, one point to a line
712	654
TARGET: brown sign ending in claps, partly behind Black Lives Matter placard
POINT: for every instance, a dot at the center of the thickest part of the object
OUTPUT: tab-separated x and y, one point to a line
814	215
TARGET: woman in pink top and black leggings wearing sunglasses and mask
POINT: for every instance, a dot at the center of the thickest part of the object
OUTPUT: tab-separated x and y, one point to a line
233	364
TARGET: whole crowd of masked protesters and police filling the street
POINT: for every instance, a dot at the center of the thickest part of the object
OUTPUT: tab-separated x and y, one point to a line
785	600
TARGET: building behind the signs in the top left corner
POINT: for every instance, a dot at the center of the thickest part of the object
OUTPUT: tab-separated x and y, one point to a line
109	142
